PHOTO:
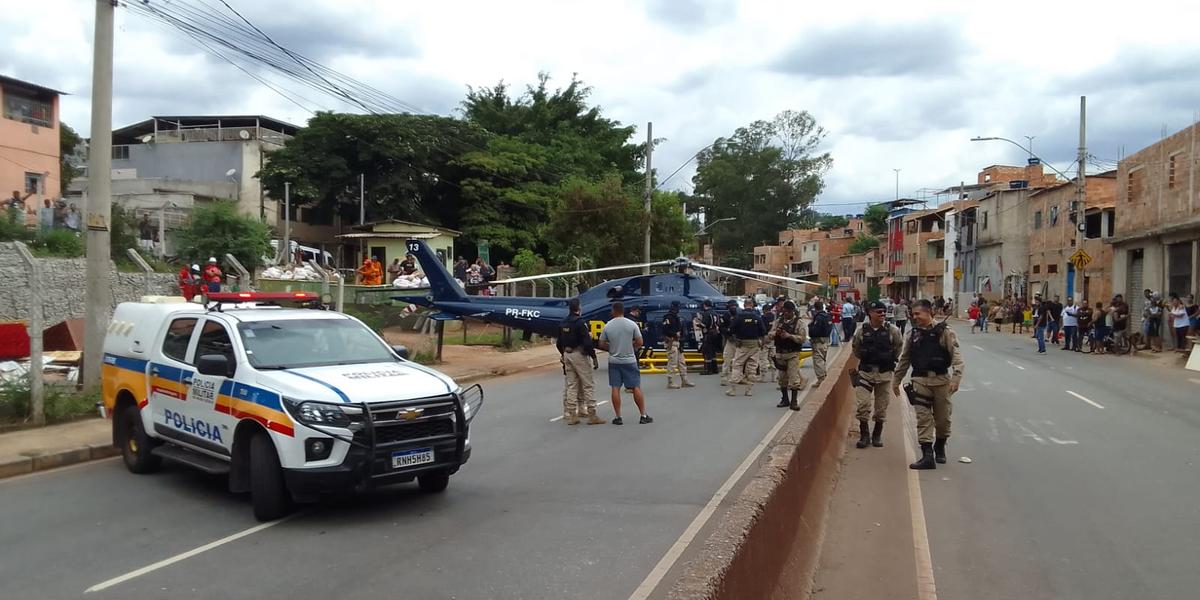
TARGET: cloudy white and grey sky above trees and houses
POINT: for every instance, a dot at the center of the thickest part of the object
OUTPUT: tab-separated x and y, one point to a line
898	86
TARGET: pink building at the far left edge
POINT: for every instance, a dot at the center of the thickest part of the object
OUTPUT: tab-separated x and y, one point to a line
29	141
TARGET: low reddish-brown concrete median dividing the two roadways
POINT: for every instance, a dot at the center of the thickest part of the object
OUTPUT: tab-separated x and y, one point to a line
767	545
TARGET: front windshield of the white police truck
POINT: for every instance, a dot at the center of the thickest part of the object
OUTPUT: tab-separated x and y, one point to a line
310	344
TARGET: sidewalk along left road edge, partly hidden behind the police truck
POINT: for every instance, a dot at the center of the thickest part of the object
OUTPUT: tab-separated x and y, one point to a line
58	446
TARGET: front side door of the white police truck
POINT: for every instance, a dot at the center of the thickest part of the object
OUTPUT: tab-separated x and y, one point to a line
211	421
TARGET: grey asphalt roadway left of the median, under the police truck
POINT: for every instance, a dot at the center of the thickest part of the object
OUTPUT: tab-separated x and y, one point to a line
543	511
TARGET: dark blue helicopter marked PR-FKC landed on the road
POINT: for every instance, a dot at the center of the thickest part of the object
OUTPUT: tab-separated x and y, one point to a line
652	295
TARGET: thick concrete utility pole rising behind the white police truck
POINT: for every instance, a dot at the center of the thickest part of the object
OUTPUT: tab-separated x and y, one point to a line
99	208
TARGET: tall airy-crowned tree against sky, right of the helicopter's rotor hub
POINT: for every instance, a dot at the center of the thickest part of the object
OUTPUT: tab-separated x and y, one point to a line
767	175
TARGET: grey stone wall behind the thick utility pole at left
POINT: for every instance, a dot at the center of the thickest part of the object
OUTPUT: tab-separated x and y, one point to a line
63	287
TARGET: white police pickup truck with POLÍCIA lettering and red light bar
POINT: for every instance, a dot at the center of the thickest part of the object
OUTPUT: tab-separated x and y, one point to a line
290	403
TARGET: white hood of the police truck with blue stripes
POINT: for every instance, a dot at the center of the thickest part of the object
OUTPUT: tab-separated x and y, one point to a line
376	382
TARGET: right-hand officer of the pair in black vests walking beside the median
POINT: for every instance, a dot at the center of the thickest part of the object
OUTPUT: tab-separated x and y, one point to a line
933	353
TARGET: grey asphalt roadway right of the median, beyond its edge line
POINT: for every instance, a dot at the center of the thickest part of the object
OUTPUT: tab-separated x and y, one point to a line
1066	500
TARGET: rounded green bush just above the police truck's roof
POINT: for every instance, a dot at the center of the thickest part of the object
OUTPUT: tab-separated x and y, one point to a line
218	230
